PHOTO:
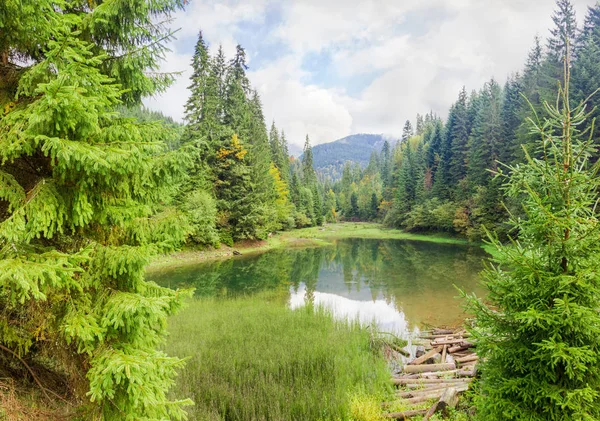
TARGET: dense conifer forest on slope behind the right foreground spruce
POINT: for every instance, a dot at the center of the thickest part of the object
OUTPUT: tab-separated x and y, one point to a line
442	175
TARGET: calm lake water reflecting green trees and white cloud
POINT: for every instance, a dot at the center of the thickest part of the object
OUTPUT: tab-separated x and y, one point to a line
400	285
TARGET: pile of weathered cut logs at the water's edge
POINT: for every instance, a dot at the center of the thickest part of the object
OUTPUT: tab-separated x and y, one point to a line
444	367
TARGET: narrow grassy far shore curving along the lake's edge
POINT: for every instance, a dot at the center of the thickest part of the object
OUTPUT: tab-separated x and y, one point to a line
304	237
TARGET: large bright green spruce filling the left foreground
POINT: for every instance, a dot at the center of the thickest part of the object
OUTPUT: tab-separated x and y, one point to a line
81	187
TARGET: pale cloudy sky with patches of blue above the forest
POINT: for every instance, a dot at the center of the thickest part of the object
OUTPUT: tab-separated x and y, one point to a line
330	68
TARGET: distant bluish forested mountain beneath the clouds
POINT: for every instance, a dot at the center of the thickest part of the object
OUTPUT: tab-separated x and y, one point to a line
329	158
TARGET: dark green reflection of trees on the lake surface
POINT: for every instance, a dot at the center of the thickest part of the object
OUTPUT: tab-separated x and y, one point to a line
398	270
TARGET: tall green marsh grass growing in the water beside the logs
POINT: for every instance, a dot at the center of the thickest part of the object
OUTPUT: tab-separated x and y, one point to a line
255	359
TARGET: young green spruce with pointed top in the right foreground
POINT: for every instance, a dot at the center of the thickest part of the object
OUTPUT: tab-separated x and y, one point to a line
539	339
